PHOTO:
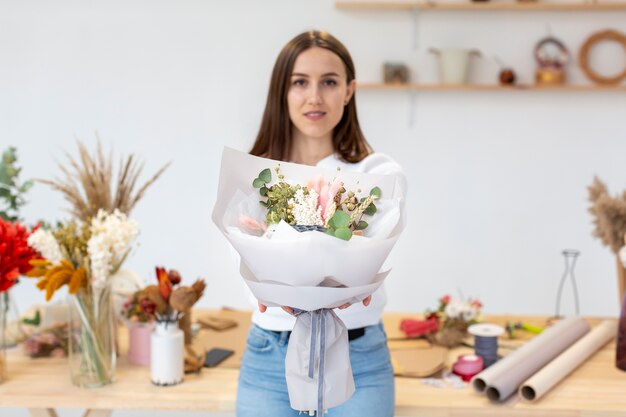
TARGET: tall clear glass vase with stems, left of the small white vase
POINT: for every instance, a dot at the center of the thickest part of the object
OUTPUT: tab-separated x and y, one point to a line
92	337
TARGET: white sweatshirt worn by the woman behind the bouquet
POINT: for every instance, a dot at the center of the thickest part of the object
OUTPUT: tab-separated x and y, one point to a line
357	315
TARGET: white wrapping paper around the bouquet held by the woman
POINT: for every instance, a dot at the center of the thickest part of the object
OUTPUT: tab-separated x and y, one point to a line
309	271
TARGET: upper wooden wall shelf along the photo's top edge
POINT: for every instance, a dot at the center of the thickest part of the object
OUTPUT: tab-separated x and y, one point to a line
488	5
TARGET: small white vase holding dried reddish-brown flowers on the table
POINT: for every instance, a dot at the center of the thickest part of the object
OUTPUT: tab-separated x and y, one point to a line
167	344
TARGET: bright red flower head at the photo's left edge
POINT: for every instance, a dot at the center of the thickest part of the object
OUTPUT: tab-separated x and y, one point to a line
15	253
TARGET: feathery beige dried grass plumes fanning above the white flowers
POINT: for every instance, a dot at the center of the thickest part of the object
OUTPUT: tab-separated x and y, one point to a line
88	183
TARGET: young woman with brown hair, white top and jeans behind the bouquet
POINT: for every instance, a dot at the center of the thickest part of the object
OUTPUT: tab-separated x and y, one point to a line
310	118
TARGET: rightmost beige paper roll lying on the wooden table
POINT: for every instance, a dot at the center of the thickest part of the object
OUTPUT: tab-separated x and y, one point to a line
555	371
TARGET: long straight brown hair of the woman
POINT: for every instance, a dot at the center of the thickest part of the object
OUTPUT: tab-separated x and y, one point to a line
274	138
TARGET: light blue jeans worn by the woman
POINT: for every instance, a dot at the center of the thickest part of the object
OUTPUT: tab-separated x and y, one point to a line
262	388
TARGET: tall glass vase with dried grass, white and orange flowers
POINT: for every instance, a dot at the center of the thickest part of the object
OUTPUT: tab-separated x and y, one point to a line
86	252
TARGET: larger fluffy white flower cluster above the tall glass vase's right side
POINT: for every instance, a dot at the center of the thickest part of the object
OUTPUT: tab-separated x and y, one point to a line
111	238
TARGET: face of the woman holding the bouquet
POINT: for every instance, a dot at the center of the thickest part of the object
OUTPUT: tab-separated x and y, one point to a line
318	92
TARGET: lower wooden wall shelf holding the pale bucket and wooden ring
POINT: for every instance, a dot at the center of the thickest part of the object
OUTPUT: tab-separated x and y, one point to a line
486	87
